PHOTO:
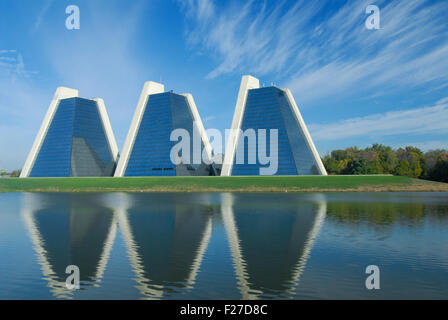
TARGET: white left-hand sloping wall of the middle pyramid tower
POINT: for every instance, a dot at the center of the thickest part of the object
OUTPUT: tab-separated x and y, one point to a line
149	88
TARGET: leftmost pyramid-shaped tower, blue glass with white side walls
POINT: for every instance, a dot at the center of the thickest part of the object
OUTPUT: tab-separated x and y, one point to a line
75	139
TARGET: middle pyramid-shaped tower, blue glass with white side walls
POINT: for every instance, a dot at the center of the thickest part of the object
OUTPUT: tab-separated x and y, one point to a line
148	146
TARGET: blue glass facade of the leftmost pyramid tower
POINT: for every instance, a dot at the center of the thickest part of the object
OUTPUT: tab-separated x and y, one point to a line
75	144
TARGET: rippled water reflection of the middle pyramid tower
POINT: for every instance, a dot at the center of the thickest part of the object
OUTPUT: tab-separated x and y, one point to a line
166	244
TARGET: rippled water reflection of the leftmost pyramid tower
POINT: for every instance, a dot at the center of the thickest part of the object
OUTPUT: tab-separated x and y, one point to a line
67	231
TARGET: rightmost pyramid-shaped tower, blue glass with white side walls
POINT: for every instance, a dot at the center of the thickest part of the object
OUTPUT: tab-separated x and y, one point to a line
270	108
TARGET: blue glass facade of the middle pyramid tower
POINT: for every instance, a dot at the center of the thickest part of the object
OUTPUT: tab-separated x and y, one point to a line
150	154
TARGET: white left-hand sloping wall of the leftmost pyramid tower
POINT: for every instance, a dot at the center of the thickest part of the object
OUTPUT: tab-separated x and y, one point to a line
61	93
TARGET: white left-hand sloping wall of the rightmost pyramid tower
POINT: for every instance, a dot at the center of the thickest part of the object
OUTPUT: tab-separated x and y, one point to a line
247	83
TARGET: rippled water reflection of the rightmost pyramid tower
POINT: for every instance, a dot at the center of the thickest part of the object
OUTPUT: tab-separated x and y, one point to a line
270	242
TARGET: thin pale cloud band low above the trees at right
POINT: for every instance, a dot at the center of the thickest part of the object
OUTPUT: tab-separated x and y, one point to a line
424	120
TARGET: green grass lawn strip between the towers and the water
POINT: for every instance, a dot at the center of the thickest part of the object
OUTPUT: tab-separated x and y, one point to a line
221	184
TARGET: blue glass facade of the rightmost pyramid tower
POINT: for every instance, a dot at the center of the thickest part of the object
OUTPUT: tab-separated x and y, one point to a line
268	108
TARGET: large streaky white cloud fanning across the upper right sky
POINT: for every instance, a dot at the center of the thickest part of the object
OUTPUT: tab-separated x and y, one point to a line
322	54
